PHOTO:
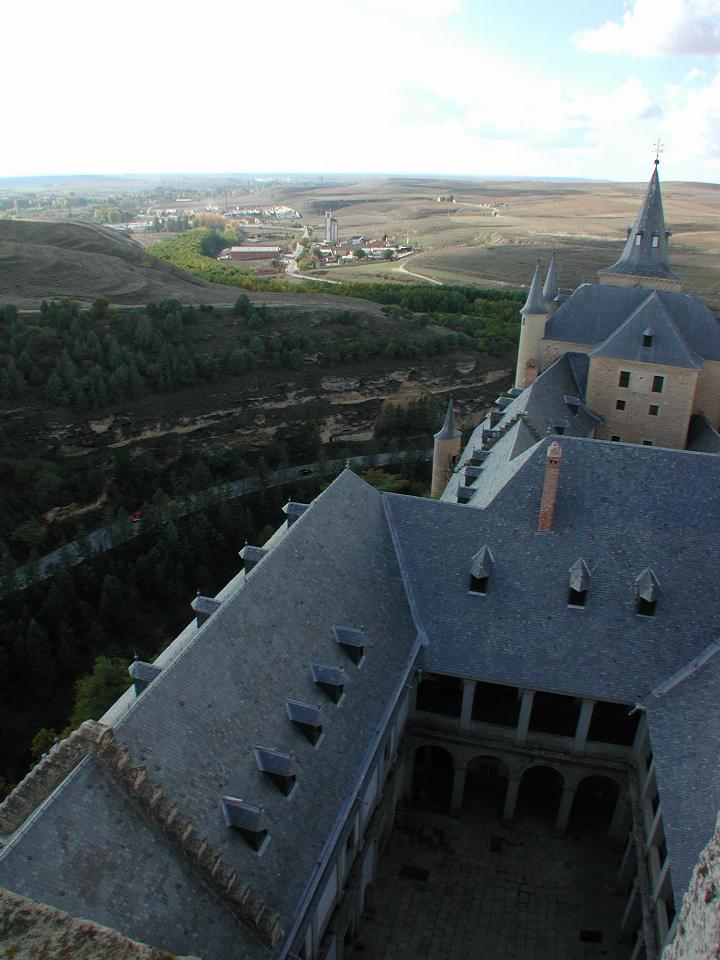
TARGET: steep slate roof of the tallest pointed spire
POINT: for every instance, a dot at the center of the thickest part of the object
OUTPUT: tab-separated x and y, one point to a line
642	259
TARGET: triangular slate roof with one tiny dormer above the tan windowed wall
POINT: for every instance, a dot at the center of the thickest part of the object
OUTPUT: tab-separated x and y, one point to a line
650	320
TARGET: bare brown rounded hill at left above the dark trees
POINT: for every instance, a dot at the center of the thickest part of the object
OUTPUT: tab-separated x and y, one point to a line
43	259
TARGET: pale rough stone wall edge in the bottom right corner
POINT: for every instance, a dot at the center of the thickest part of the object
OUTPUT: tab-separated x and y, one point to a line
698	928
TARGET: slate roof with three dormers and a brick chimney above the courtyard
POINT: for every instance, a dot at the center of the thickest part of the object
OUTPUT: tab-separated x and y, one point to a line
620	507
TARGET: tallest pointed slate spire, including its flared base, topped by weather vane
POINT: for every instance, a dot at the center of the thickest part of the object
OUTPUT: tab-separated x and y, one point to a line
644	261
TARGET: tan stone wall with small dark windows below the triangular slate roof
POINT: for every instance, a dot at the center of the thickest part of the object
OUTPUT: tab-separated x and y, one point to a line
634	424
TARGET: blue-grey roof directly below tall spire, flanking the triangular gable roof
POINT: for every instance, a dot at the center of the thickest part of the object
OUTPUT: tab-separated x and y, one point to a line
594	311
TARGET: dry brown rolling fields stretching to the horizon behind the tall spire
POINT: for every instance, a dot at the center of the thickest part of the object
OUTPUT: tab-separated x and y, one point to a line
465	242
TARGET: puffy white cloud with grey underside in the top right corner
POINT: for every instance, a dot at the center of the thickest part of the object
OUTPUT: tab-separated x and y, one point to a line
651	28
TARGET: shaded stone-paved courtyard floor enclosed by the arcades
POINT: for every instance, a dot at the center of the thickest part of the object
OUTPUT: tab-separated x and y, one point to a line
472	889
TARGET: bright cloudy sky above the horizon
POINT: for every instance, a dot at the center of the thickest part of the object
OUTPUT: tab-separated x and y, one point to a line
567	88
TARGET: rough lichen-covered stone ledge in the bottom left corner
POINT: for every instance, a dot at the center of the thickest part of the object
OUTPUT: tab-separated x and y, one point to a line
30	930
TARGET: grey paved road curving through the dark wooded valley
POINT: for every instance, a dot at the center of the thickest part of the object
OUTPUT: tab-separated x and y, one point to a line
107	537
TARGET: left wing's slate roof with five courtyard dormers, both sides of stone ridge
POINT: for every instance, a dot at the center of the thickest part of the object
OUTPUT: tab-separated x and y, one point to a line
196	726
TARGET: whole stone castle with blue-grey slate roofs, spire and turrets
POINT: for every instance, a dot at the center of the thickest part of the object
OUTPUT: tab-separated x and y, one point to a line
553	615
